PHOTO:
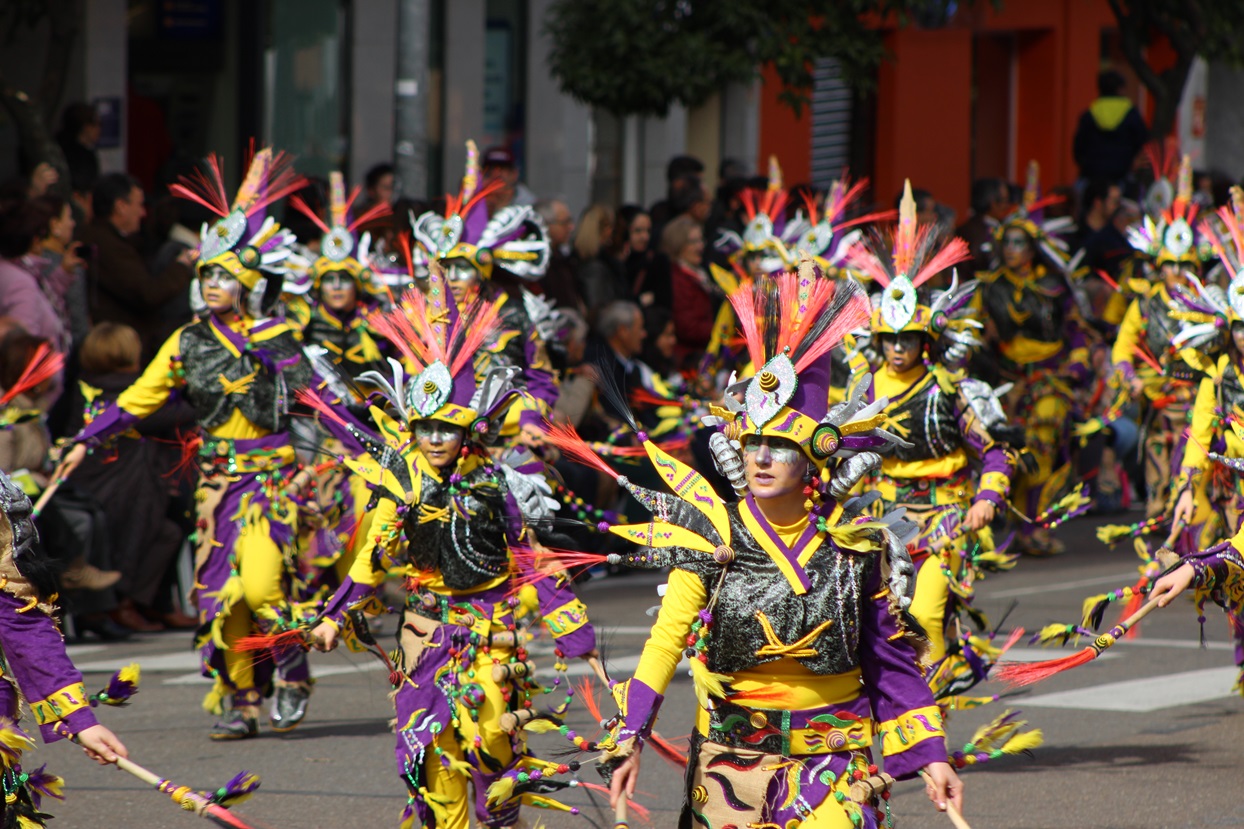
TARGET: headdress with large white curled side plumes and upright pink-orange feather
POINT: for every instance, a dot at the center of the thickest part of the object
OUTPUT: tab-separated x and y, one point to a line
516	237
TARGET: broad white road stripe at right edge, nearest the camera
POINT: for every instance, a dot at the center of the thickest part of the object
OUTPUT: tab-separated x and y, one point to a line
1143	696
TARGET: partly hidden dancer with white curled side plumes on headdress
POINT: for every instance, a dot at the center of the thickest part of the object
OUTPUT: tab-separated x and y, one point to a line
470	246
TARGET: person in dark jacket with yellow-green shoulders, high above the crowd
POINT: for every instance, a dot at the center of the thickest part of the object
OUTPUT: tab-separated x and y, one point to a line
1110	134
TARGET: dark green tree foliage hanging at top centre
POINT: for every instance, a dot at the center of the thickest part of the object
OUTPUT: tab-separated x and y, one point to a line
643	57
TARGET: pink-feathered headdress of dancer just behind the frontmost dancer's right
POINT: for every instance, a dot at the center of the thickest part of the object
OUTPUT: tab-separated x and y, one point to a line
900	265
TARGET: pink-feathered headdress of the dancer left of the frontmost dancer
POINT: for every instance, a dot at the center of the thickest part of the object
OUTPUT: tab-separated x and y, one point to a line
439	342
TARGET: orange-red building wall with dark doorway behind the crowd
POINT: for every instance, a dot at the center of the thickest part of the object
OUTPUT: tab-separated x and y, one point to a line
926	100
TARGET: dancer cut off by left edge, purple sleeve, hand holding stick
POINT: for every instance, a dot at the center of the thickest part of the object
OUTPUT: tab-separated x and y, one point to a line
38	669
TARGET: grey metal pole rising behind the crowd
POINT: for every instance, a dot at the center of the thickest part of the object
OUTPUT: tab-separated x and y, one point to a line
411	100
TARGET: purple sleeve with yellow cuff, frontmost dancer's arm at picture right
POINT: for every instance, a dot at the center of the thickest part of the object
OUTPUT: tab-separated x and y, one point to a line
903	705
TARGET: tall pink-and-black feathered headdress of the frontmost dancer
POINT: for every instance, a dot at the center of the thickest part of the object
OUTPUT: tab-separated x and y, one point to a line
791	324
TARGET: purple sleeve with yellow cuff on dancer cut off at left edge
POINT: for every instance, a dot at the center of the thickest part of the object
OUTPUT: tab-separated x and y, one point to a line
35	653
